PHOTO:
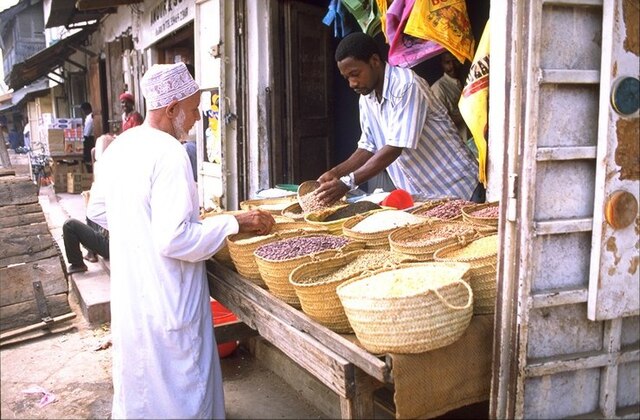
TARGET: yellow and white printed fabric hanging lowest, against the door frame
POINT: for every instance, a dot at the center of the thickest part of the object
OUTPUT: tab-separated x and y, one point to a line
474	102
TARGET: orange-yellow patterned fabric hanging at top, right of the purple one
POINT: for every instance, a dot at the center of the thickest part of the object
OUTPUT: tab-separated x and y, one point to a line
445	22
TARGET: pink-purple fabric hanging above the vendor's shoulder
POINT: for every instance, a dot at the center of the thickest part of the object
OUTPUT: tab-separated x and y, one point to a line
406	50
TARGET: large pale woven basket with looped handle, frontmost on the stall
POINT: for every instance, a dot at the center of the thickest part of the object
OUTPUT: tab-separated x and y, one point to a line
432	308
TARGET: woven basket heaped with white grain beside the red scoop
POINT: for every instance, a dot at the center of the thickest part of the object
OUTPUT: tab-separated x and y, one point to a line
374	228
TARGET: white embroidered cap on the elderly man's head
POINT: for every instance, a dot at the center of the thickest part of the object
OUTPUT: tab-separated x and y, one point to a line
163	83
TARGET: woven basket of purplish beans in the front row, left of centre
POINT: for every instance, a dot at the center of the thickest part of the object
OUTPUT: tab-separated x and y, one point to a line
276	260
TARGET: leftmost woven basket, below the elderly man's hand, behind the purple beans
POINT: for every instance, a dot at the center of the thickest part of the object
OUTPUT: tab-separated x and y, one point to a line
242	245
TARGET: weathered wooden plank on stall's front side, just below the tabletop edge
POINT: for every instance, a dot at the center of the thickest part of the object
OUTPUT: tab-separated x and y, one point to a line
331	369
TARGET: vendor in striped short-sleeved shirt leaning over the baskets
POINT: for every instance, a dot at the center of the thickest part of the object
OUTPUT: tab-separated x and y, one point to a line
405	131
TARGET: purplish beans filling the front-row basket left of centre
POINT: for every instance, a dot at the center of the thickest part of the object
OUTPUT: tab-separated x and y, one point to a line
287	249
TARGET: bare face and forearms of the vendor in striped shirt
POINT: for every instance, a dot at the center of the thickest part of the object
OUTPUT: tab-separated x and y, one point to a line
363	77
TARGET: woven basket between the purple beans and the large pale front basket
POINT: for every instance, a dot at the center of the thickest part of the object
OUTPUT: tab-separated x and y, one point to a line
318	298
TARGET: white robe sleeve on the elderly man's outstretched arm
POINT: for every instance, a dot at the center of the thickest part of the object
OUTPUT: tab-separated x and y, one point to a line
177	233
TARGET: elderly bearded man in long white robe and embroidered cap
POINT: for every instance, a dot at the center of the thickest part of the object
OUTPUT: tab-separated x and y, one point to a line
165	360
